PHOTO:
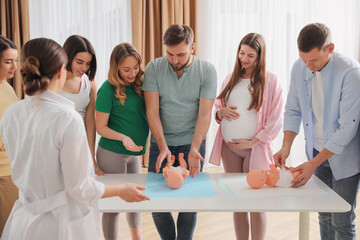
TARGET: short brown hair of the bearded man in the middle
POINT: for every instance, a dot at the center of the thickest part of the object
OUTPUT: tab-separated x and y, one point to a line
176	34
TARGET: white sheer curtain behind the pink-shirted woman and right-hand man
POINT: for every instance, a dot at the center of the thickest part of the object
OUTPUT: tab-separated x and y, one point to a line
222	24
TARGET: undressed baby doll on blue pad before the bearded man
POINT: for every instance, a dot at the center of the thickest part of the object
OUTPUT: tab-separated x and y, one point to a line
175	176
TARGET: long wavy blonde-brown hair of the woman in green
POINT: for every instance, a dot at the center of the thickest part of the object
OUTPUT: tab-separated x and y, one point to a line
118	55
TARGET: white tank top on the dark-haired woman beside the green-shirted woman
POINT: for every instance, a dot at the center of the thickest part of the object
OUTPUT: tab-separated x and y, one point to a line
82	98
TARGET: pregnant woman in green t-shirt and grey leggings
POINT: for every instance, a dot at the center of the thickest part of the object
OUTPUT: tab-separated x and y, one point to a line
121	121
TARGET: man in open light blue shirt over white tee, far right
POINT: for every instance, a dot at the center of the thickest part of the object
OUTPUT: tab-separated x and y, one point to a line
324	95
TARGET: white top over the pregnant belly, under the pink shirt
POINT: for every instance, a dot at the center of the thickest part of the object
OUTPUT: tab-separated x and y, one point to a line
245	126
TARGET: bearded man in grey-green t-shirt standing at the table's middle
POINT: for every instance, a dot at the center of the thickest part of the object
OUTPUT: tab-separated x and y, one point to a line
179	91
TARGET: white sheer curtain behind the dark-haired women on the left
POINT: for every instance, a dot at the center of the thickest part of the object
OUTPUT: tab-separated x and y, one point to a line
104	23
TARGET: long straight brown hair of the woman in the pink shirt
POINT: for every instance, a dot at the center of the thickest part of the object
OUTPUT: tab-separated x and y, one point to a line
257	78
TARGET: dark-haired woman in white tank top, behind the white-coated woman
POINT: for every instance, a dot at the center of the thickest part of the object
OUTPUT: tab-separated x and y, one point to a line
80	86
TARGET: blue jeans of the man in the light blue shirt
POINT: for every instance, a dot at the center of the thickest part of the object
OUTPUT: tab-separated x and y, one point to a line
338	225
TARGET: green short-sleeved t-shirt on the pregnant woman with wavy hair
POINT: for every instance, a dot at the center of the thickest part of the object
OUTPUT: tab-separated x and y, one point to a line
128	119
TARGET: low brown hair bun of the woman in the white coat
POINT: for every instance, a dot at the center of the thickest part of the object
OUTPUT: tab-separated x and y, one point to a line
33	81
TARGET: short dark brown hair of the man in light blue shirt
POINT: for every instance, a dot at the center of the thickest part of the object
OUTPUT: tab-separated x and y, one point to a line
314	35
